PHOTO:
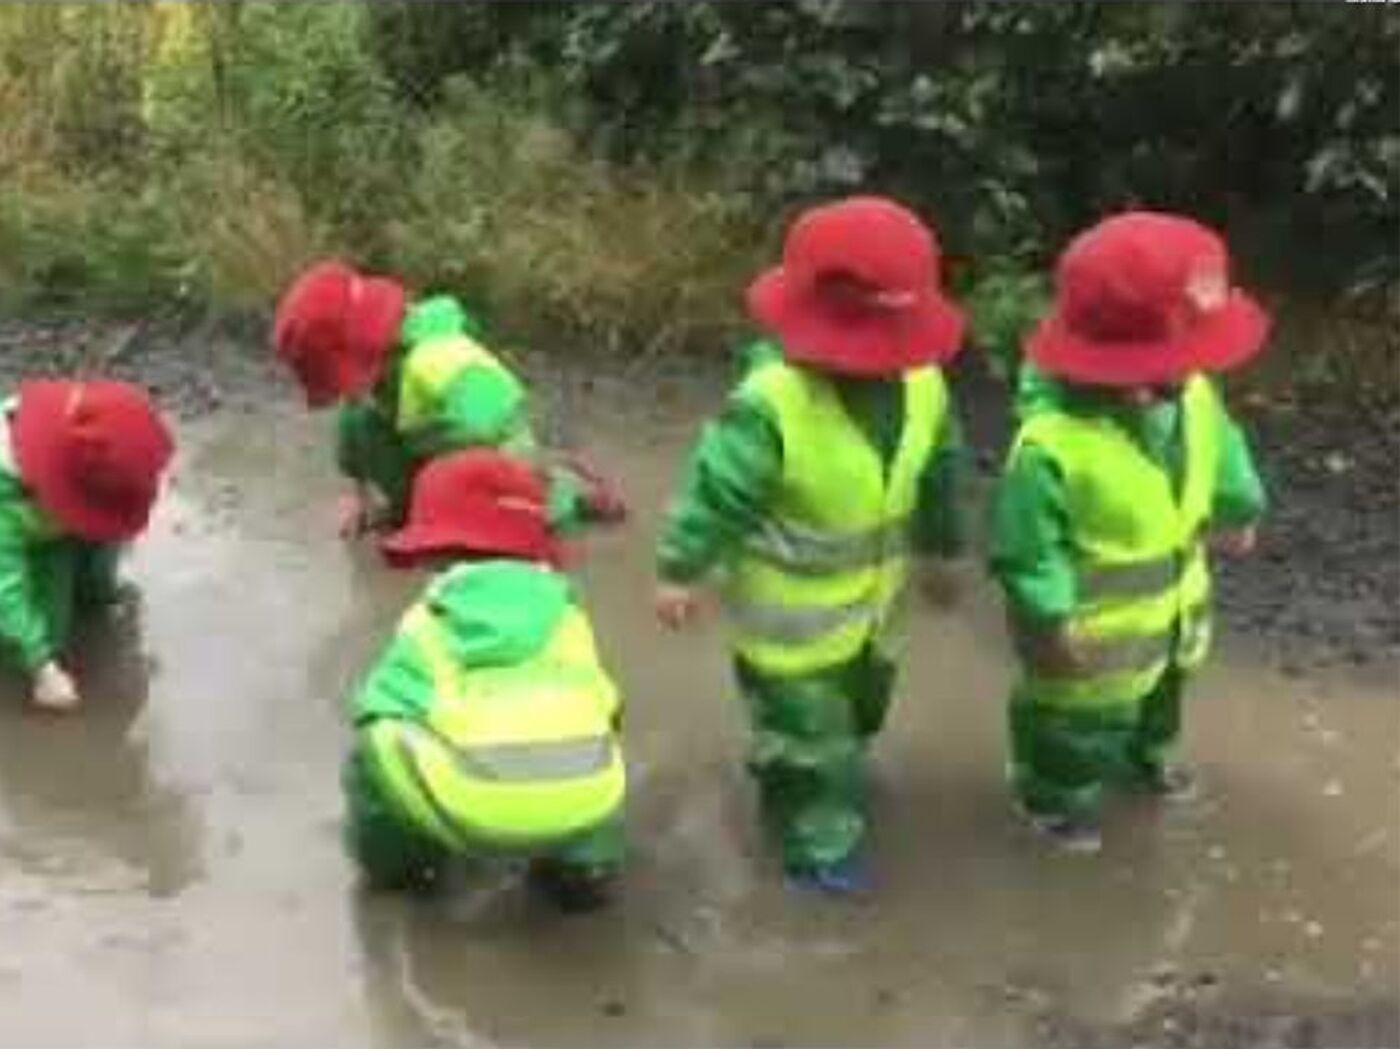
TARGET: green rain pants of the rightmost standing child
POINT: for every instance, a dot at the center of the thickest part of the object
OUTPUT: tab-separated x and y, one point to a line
1062	761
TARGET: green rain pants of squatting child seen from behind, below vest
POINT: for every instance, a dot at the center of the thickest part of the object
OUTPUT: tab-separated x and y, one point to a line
394	855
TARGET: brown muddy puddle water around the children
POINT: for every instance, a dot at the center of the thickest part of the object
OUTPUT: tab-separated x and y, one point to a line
171	870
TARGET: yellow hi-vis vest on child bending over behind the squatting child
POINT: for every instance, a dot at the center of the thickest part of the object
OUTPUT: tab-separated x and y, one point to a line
429	372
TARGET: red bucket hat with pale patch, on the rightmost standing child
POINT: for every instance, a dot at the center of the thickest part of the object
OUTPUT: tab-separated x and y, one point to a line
1146	298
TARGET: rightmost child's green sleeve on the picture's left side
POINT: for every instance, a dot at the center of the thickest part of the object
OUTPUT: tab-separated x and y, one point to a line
1030	551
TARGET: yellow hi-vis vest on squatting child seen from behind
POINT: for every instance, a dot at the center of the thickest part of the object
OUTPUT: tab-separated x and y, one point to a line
509	757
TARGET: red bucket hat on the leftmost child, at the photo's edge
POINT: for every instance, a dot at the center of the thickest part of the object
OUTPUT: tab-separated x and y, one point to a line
93	456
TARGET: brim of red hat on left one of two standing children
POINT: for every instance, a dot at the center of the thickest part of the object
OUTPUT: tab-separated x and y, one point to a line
880	344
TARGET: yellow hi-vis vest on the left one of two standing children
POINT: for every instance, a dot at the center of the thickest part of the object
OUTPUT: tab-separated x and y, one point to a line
821	578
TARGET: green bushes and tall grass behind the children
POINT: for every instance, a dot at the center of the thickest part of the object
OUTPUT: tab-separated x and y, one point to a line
610	174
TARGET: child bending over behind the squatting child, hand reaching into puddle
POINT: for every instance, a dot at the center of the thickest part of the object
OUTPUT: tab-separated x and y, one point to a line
412	383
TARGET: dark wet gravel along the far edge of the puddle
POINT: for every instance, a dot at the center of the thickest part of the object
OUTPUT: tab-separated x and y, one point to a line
1324	589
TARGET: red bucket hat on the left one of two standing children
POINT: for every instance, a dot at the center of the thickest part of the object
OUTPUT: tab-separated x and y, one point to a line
859	292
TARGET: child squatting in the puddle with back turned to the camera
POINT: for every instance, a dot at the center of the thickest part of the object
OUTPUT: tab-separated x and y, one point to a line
488	726
